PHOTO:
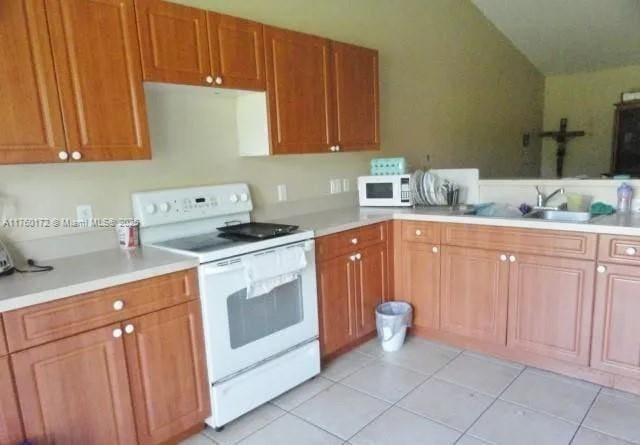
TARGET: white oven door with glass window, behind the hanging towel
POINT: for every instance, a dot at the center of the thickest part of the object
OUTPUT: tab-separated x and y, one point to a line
242	332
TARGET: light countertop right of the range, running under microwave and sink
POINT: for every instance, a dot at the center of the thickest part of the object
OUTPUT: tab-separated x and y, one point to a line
338	220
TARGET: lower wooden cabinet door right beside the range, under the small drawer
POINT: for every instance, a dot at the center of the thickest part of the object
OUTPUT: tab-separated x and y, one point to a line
336	293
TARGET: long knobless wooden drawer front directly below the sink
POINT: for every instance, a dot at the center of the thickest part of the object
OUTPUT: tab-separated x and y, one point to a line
514	240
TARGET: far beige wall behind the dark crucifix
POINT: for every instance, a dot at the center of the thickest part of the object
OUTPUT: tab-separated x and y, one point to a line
586	99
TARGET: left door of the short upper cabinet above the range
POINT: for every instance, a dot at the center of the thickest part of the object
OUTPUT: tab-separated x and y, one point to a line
173	42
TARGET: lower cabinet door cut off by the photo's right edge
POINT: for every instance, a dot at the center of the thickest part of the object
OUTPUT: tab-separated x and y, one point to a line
616	331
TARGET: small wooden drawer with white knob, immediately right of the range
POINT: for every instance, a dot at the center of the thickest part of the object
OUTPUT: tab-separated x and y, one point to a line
331	246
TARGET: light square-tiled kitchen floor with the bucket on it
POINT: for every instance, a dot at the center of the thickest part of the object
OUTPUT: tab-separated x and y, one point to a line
428	393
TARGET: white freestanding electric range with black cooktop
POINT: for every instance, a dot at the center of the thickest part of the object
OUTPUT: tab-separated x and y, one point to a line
258	346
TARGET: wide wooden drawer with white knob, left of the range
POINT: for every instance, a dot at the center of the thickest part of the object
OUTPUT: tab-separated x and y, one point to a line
42	323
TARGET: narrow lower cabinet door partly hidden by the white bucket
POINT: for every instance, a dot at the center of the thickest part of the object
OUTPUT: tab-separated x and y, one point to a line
373	287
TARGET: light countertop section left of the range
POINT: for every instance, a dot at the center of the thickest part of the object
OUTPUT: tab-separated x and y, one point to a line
86	273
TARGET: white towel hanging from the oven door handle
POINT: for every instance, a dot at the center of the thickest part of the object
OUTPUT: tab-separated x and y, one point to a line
265	271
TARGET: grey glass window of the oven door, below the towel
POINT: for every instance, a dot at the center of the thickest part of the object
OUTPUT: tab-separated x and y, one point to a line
251	319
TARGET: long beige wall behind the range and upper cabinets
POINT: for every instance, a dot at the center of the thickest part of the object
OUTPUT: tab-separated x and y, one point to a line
451	86
